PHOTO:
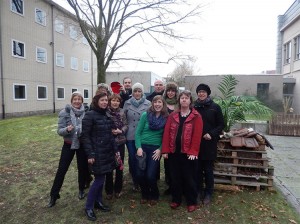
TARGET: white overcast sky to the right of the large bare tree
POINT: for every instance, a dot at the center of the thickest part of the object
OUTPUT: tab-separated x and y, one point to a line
236	37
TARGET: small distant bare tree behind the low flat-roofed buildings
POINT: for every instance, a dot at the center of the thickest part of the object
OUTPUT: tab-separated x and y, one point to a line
182	70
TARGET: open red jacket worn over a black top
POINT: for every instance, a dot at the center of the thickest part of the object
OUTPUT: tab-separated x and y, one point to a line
191	133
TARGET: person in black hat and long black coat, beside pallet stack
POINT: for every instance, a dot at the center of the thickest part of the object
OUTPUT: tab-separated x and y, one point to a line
213	124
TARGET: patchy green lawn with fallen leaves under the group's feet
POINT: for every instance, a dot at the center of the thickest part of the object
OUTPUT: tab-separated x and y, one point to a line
30	150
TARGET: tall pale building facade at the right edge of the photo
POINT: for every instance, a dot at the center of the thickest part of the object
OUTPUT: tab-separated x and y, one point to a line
288	54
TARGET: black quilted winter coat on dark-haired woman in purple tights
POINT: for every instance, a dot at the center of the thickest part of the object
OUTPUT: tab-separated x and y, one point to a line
98	141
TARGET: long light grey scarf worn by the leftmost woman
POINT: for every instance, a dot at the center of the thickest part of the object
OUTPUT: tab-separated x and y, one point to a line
76	119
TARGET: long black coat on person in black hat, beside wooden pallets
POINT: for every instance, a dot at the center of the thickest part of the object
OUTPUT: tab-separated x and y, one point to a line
213	124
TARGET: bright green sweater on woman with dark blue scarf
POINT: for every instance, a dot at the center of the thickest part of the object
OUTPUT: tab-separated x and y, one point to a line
143	134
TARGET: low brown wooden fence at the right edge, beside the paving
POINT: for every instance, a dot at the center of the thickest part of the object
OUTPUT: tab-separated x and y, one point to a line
285	124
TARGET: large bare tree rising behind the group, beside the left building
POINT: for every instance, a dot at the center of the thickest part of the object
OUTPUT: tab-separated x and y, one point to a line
108	25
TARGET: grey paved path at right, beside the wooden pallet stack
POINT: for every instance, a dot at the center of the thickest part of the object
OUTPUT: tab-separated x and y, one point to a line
286	161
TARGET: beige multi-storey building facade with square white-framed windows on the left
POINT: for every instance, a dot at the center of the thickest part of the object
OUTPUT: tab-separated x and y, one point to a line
43	58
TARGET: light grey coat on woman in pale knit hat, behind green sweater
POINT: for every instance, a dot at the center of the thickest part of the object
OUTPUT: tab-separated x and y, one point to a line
133	115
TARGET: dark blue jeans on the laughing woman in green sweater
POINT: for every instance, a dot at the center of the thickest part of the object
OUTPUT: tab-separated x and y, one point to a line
147	178
